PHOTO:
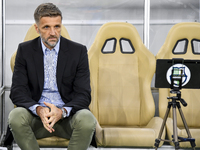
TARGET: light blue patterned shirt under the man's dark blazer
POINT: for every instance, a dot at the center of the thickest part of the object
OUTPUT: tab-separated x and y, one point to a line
50	92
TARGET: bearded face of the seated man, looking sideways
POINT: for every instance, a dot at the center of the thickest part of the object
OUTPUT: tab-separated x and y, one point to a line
49	29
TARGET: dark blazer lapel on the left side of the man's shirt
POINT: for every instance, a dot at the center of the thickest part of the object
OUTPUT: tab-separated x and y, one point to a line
39	63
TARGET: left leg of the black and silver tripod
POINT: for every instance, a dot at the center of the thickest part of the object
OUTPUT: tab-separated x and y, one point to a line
157	141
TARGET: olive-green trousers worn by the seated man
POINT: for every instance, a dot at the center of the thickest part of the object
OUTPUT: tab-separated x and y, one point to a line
26	128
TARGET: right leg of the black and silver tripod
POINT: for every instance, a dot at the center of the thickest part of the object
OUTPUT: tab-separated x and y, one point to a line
186	127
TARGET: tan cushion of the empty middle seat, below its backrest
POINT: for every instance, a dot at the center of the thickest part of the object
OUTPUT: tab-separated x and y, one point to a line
133	136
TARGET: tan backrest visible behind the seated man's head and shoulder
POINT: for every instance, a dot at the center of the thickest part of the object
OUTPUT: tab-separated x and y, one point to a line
31	34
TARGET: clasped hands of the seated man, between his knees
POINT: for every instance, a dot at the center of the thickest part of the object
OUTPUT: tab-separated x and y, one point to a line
49	118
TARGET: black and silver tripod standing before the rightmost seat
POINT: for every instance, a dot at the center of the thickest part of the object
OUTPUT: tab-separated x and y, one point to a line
175	103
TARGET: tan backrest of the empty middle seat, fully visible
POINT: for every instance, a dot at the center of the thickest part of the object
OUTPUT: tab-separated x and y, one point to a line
121	69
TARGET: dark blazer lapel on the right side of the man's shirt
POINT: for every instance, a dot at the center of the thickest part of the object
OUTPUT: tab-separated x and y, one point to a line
63	57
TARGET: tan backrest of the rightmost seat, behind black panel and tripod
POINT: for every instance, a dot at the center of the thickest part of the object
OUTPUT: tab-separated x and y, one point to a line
183	41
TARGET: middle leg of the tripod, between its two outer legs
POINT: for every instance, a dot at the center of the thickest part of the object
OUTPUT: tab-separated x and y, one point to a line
175	132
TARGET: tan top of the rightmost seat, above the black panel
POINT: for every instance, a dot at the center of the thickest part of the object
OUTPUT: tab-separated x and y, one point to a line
181	42
